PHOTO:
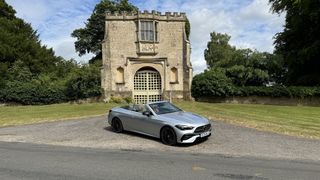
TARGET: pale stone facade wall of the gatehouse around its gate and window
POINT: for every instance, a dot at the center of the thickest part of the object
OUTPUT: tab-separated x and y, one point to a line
123	49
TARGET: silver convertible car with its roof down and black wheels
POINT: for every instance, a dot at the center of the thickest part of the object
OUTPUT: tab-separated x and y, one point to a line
161	120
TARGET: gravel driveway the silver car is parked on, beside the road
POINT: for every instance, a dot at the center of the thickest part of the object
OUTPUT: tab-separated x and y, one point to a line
227	140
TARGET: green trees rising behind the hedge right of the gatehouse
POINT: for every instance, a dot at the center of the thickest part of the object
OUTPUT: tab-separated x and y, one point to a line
244	67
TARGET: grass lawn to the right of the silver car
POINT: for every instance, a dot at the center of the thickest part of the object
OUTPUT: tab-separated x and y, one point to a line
292	120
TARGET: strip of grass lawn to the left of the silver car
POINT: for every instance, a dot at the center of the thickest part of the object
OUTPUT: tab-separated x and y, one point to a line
17	115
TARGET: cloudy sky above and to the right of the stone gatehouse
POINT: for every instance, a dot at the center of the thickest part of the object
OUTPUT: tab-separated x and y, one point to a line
249	22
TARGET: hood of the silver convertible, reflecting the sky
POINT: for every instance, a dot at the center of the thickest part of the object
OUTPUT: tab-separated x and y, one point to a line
185	118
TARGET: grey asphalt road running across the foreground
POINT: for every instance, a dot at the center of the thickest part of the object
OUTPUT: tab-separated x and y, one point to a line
29	161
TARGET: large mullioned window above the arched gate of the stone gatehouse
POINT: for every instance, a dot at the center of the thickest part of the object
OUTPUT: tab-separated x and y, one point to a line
148	31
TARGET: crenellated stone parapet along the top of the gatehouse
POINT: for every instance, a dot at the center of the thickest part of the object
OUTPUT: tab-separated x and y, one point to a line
155	15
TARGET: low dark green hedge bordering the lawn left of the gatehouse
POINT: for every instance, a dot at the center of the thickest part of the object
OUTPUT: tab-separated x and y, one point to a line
30	93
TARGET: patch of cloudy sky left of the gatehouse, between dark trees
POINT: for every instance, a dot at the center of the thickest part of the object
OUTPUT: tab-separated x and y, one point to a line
55	21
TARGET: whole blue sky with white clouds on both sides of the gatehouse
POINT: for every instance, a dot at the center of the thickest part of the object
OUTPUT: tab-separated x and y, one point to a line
250	23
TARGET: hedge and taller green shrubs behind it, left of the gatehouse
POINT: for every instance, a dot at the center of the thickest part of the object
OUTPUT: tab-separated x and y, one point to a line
79	83
